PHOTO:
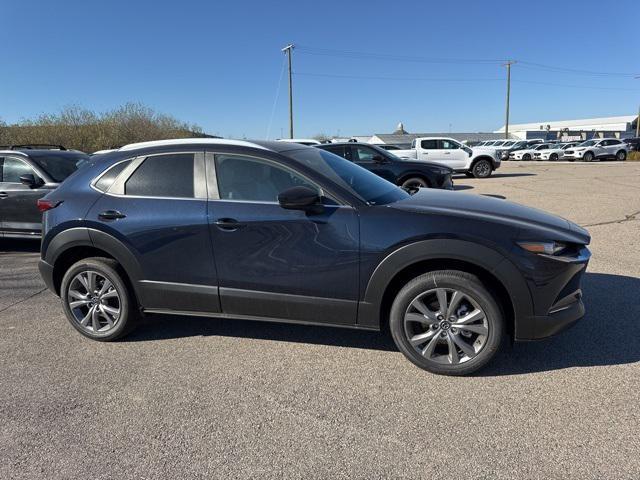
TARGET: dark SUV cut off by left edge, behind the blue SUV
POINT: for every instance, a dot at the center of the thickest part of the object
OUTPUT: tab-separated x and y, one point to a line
27	173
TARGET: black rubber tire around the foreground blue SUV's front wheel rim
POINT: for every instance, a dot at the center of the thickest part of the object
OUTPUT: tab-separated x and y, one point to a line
471	287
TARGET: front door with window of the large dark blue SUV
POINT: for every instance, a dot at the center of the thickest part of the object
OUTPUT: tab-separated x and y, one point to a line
277	263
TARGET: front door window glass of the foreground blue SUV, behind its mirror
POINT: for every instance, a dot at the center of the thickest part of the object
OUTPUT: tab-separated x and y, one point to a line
254	180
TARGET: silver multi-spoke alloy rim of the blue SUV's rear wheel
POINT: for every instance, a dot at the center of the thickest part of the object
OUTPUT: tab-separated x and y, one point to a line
94	302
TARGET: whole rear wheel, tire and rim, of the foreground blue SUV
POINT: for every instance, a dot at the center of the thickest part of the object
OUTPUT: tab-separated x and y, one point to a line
96	299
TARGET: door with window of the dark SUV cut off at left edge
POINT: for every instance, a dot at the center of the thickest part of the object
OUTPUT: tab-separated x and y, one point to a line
19	214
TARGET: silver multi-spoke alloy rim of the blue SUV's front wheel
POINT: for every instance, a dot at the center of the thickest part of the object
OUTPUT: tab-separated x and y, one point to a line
446	326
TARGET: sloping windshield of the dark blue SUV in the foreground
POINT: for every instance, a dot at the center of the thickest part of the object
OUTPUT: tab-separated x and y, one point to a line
365	185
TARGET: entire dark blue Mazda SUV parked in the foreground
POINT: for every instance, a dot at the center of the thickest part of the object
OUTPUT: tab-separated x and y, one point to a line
282	232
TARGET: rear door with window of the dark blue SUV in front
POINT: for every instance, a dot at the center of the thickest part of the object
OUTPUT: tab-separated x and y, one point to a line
157	206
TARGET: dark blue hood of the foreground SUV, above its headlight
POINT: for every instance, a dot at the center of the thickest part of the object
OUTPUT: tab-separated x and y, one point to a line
480	207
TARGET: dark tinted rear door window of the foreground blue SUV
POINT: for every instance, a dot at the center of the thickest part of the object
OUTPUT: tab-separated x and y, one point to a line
168	175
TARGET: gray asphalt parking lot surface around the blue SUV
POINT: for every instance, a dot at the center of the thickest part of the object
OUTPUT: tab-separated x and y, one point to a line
204	398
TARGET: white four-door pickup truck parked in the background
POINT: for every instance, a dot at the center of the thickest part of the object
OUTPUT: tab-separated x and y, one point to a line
477	162
